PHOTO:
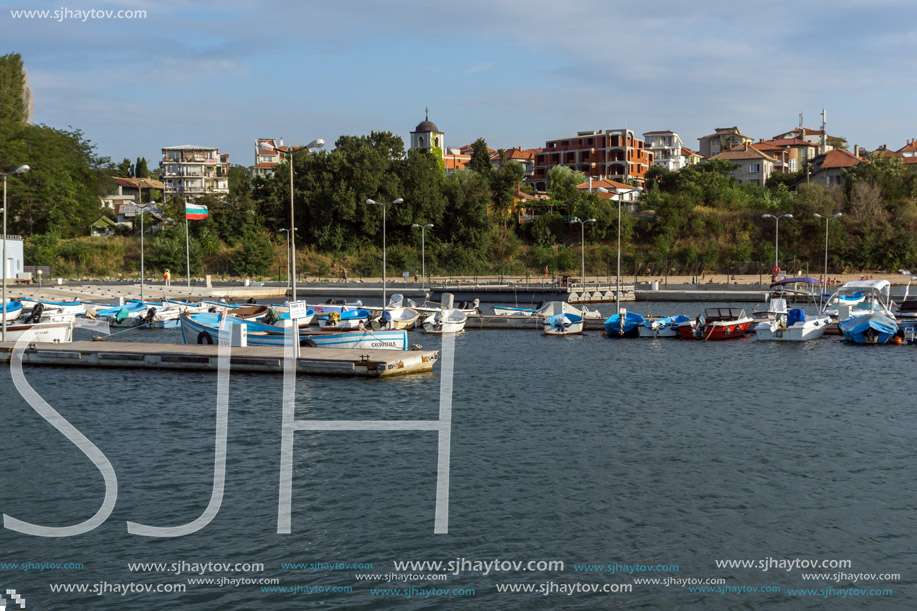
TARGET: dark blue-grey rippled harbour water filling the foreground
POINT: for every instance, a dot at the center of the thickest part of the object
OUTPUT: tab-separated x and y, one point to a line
580	449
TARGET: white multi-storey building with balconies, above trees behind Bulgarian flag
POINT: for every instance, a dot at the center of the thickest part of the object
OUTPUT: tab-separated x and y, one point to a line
193	171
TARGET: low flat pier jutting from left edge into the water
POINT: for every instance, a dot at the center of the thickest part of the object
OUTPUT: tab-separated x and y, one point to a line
260	359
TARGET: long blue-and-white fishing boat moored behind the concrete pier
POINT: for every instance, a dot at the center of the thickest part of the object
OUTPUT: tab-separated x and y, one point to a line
204	328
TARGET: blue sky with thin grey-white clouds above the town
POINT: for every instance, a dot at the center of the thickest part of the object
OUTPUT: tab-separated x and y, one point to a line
515	73
